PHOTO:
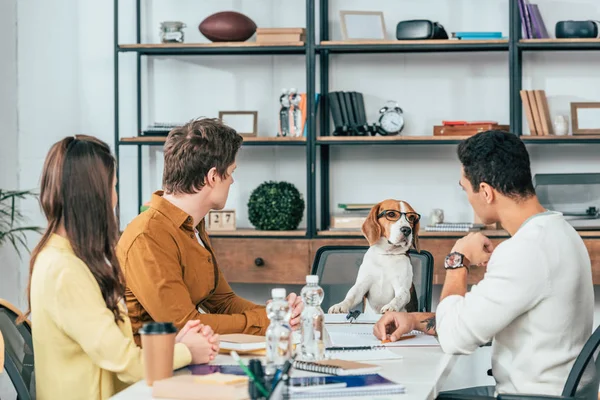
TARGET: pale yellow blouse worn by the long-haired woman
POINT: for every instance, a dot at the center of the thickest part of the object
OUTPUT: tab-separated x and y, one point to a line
80	352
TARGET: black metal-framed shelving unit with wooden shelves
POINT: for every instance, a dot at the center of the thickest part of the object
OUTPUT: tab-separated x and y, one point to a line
320	51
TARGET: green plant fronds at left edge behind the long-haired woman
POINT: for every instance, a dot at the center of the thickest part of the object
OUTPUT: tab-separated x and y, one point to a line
12	229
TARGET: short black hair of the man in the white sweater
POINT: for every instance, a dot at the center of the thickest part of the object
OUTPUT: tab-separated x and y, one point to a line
499	159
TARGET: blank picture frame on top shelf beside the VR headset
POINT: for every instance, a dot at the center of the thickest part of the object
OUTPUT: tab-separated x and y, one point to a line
362	25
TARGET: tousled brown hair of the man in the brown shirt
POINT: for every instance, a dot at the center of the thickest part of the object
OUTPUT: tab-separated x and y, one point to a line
193	149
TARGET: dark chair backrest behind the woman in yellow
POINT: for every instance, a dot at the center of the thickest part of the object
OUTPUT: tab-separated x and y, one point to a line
18	351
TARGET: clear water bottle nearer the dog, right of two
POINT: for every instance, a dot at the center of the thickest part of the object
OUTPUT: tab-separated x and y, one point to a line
312	347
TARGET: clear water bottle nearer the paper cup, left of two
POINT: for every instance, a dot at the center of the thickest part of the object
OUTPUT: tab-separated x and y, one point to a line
279	333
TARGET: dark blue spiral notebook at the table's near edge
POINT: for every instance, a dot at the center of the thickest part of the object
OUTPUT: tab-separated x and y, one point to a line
342	386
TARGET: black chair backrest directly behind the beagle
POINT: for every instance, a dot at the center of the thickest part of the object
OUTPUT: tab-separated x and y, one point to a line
337	268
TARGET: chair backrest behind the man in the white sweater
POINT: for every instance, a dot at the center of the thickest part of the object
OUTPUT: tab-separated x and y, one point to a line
584	379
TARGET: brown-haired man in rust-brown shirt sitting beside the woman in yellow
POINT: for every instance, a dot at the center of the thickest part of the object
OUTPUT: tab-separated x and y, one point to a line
166	256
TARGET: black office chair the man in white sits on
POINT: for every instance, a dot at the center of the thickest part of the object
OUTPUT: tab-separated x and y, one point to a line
583	381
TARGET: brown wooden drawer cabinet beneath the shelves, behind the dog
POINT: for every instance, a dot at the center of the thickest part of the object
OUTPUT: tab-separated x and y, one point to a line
288	261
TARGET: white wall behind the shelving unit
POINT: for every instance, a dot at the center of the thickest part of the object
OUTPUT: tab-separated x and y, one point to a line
65	86
